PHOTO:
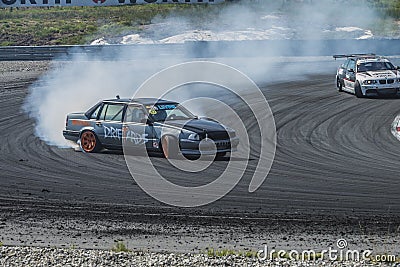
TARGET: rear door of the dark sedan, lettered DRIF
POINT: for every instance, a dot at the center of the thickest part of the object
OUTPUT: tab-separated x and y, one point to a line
108	126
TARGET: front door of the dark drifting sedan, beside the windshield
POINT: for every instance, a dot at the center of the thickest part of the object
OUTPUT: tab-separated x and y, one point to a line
137	130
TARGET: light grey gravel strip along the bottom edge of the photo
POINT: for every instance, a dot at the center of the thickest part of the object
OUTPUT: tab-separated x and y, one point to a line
34	256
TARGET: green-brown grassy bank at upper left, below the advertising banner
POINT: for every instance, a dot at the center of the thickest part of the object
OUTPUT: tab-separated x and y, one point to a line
80	25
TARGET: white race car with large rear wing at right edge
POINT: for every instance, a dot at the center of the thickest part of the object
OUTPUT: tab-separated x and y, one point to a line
367	75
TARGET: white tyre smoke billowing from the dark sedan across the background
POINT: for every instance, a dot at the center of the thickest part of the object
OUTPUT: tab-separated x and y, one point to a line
78	84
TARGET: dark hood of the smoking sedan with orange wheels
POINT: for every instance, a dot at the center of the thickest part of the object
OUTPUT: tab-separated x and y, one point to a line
197	125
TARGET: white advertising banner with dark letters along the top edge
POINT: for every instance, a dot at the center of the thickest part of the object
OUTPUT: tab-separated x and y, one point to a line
46	3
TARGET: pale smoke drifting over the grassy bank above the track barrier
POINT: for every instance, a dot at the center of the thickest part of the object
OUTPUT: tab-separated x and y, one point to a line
268	20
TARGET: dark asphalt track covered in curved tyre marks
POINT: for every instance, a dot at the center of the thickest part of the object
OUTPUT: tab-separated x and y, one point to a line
335	158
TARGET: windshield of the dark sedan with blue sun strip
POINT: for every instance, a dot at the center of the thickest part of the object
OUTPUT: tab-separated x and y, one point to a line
165	112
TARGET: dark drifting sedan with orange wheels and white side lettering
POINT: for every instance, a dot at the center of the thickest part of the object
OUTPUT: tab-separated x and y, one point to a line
161	125
